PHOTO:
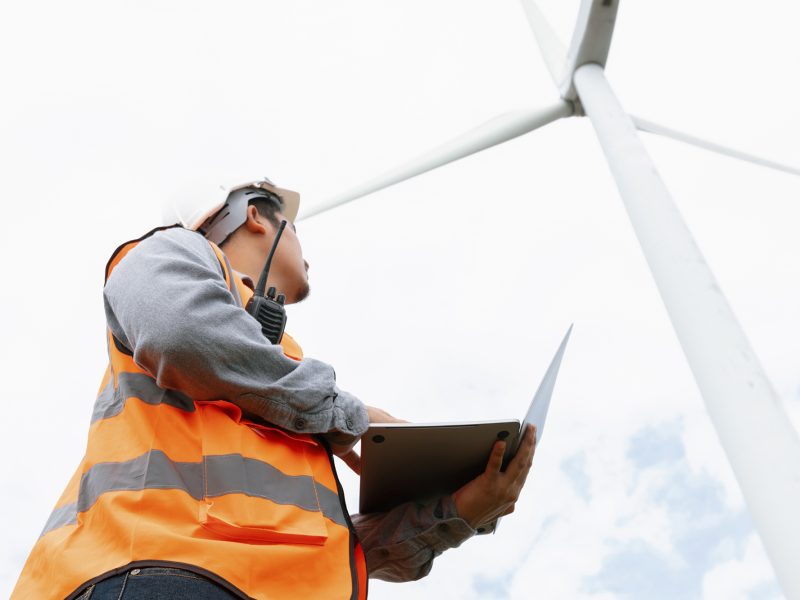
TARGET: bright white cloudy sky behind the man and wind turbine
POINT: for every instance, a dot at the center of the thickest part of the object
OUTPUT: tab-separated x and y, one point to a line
443	297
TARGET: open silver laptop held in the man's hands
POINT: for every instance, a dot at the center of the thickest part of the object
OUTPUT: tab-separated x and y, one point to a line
401	462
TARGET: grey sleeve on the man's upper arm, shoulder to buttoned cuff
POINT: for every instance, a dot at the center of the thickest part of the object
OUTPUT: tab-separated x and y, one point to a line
168	303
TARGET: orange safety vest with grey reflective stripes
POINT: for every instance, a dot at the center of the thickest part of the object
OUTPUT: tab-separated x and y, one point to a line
168	481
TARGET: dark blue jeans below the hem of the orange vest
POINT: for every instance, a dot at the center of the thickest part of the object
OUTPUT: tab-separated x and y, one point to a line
156	583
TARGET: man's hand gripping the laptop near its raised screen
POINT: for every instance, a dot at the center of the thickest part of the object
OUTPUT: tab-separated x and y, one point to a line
493	493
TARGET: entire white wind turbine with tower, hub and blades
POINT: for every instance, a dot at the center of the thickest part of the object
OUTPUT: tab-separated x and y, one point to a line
758	438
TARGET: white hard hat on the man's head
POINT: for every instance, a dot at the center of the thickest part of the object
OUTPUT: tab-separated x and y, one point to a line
219	210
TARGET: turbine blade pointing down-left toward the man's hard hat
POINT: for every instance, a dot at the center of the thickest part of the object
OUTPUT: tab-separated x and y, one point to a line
496	131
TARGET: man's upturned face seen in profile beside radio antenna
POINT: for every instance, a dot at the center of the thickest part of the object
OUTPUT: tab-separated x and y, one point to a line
289	270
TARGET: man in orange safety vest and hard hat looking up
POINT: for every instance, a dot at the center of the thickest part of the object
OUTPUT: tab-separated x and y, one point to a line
208	471
